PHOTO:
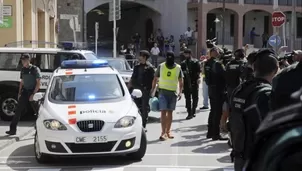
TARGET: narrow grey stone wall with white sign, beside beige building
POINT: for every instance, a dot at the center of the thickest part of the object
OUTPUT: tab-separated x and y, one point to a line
70	14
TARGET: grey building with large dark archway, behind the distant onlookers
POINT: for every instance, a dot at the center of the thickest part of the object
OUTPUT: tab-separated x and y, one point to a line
168	15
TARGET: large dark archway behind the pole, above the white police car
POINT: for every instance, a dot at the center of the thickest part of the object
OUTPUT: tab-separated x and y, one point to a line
133	20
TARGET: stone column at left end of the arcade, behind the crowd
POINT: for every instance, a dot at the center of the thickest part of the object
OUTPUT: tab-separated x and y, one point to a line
202	28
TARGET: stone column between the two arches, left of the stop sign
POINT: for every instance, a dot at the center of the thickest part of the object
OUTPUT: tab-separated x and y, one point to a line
238	36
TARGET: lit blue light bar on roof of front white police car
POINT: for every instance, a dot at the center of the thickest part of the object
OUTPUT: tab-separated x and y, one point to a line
84	64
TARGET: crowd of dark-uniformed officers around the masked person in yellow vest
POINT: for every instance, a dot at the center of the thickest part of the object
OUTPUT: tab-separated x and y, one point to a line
241	92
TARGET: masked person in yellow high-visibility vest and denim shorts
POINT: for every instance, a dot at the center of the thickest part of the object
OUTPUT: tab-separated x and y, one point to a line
169	78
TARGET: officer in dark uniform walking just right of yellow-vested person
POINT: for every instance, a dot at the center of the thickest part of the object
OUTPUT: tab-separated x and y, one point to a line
191	69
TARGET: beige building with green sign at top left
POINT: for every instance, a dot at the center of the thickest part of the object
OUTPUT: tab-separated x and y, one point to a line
28	20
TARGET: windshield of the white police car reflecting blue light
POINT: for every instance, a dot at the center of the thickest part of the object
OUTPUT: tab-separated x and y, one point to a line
82	88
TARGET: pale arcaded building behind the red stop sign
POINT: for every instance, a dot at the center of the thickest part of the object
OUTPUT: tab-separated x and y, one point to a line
240	17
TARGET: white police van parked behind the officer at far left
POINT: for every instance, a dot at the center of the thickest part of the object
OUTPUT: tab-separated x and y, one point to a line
47	59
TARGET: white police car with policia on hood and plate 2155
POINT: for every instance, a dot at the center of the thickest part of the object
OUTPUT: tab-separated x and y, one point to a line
88	110
